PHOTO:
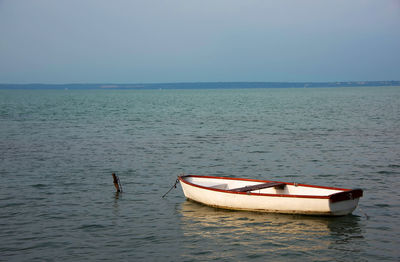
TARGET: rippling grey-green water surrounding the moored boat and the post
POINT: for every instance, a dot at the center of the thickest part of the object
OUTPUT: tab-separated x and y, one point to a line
58	149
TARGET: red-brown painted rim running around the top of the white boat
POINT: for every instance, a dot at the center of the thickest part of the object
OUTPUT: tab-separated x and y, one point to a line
182	179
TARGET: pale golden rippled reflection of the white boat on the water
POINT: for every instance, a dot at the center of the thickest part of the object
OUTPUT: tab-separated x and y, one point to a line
246	234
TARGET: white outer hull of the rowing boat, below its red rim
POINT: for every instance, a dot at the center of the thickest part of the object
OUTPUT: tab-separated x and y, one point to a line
271	203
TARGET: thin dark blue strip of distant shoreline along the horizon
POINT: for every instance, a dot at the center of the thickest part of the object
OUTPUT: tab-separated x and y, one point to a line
199	85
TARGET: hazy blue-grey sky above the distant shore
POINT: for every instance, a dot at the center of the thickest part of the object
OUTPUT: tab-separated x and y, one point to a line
157	41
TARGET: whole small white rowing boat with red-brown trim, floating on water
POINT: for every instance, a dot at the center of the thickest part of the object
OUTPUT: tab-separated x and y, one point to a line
269	196
